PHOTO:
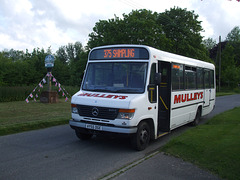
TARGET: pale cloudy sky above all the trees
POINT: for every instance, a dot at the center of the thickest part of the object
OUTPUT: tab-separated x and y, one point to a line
29	24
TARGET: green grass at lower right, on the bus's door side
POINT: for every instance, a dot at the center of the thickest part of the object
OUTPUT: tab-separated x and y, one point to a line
214	146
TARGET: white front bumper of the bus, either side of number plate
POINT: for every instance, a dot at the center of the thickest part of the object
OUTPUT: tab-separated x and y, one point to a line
123	130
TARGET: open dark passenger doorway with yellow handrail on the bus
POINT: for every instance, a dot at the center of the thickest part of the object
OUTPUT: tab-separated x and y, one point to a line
164	92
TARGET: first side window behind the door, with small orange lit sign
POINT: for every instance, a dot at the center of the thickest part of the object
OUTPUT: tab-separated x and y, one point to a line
177	77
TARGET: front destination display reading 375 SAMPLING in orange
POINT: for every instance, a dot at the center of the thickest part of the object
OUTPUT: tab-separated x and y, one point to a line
119	53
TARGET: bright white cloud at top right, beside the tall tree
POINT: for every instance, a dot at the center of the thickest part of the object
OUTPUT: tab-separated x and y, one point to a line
219	16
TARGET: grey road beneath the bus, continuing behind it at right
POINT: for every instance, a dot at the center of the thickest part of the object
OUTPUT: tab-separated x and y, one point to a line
56	153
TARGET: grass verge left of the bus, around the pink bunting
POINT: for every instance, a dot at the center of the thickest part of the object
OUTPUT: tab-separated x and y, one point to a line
20	116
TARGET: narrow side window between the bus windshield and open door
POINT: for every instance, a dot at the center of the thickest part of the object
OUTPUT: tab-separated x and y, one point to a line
152	87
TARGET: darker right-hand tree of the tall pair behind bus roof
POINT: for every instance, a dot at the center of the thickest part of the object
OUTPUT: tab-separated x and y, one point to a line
183	29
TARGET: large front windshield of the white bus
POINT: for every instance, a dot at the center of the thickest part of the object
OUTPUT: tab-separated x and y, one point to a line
122	77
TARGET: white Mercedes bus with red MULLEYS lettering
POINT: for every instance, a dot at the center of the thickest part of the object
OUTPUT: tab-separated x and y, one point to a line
142	92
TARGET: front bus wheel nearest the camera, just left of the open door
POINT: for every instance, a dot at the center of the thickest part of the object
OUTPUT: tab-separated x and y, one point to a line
141	139
